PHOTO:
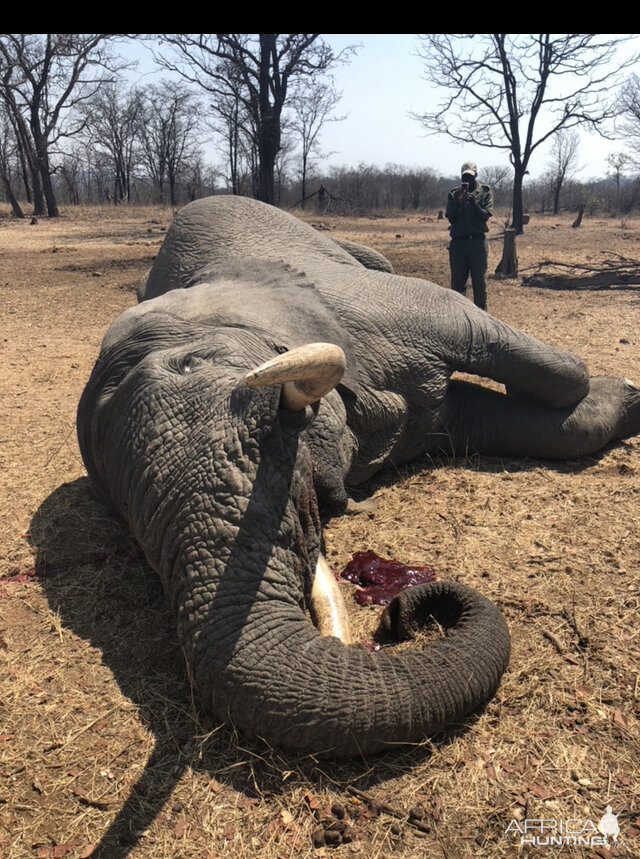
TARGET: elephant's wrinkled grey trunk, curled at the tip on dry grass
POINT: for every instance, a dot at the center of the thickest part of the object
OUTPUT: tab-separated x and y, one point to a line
241	596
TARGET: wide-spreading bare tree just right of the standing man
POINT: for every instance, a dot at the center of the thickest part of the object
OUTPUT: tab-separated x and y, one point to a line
514	92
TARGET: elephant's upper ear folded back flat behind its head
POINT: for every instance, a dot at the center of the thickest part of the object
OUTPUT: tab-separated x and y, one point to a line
268	298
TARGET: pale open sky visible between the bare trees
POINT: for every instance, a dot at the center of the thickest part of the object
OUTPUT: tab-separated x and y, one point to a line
380	87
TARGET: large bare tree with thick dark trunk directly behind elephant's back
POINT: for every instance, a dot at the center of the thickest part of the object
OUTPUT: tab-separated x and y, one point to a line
258	70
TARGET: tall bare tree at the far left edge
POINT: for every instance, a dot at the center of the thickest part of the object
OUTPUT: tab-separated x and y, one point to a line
42	77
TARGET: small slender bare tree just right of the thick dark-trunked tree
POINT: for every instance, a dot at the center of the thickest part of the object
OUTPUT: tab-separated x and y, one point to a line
312	104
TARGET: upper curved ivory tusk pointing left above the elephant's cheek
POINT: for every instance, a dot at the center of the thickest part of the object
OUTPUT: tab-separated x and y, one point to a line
306	373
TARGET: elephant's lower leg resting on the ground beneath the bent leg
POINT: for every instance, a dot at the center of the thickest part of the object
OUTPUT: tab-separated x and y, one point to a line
485	421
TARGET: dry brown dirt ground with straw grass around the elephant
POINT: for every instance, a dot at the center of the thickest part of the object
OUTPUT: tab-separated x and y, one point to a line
103	749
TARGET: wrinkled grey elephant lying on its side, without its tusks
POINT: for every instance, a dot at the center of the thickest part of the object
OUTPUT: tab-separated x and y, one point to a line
221	486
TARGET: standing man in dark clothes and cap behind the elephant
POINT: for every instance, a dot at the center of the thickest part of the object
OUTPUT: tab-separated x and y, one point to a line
469	207
